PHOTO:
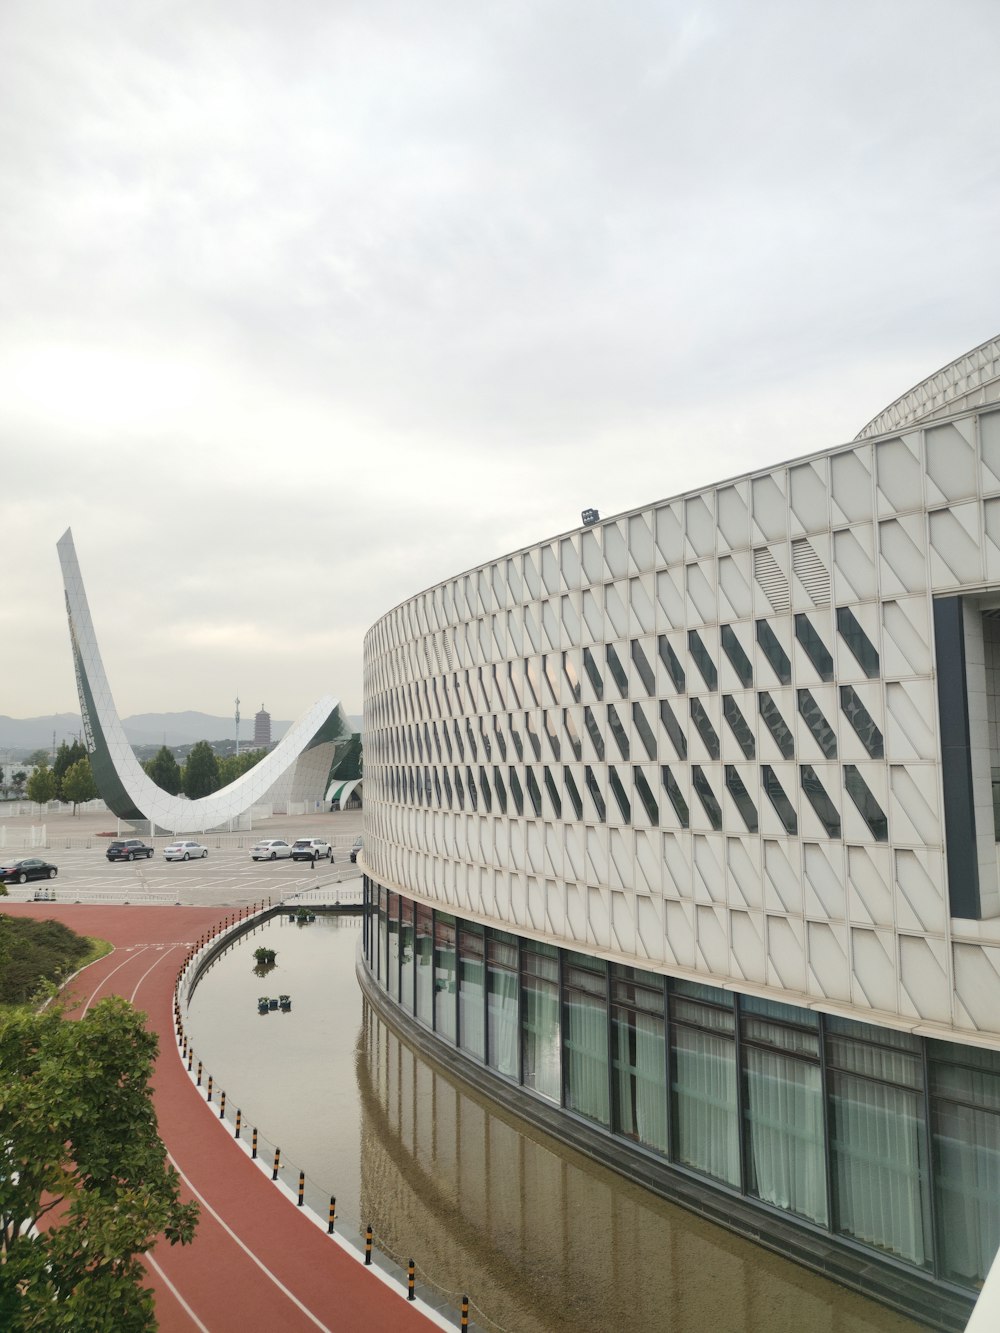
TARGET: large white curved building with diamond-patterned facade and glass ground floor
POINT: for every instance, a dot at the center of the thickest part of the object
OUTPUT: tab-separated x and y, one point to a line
682	836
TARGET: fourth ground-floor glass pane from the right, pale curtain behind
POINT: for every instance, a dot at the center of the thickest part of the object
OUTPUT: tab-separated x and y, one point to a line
703	1086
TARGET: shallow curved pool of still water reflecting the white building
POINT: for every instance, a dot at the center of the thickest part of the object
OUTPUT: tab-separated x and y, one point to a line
542	1239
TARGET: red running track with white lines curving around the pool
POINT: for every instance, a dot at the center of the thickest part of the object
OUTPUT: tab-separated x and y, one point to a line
257	1262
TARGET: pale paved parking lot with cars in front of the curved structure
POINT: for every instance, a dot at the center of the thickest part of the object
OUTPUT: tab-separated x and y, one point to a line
226	878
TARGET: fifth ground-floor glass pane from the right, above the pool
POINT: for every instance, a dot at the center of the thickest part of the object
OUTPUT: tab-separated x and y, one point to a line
639	1058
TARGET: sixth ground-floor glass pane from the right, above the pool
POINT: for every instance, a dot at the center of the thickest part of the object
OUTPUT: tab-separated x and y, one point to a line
586	1036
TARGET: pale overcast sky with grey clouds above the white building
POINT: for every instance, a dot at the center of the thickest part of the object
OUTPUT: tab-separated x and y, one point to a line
310	307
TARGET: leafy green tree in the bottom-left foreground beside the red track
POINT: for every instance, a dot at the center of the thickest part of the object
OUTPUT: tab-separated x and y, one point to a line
83	1159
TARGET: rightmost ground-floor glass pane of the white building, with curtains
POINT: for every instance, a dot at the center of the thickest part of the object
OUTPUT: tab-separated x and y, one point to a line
966	1138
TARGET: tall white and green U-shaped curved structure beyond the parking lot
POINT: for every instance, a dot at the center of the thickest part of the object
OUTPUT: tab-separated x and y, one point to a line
295	771
